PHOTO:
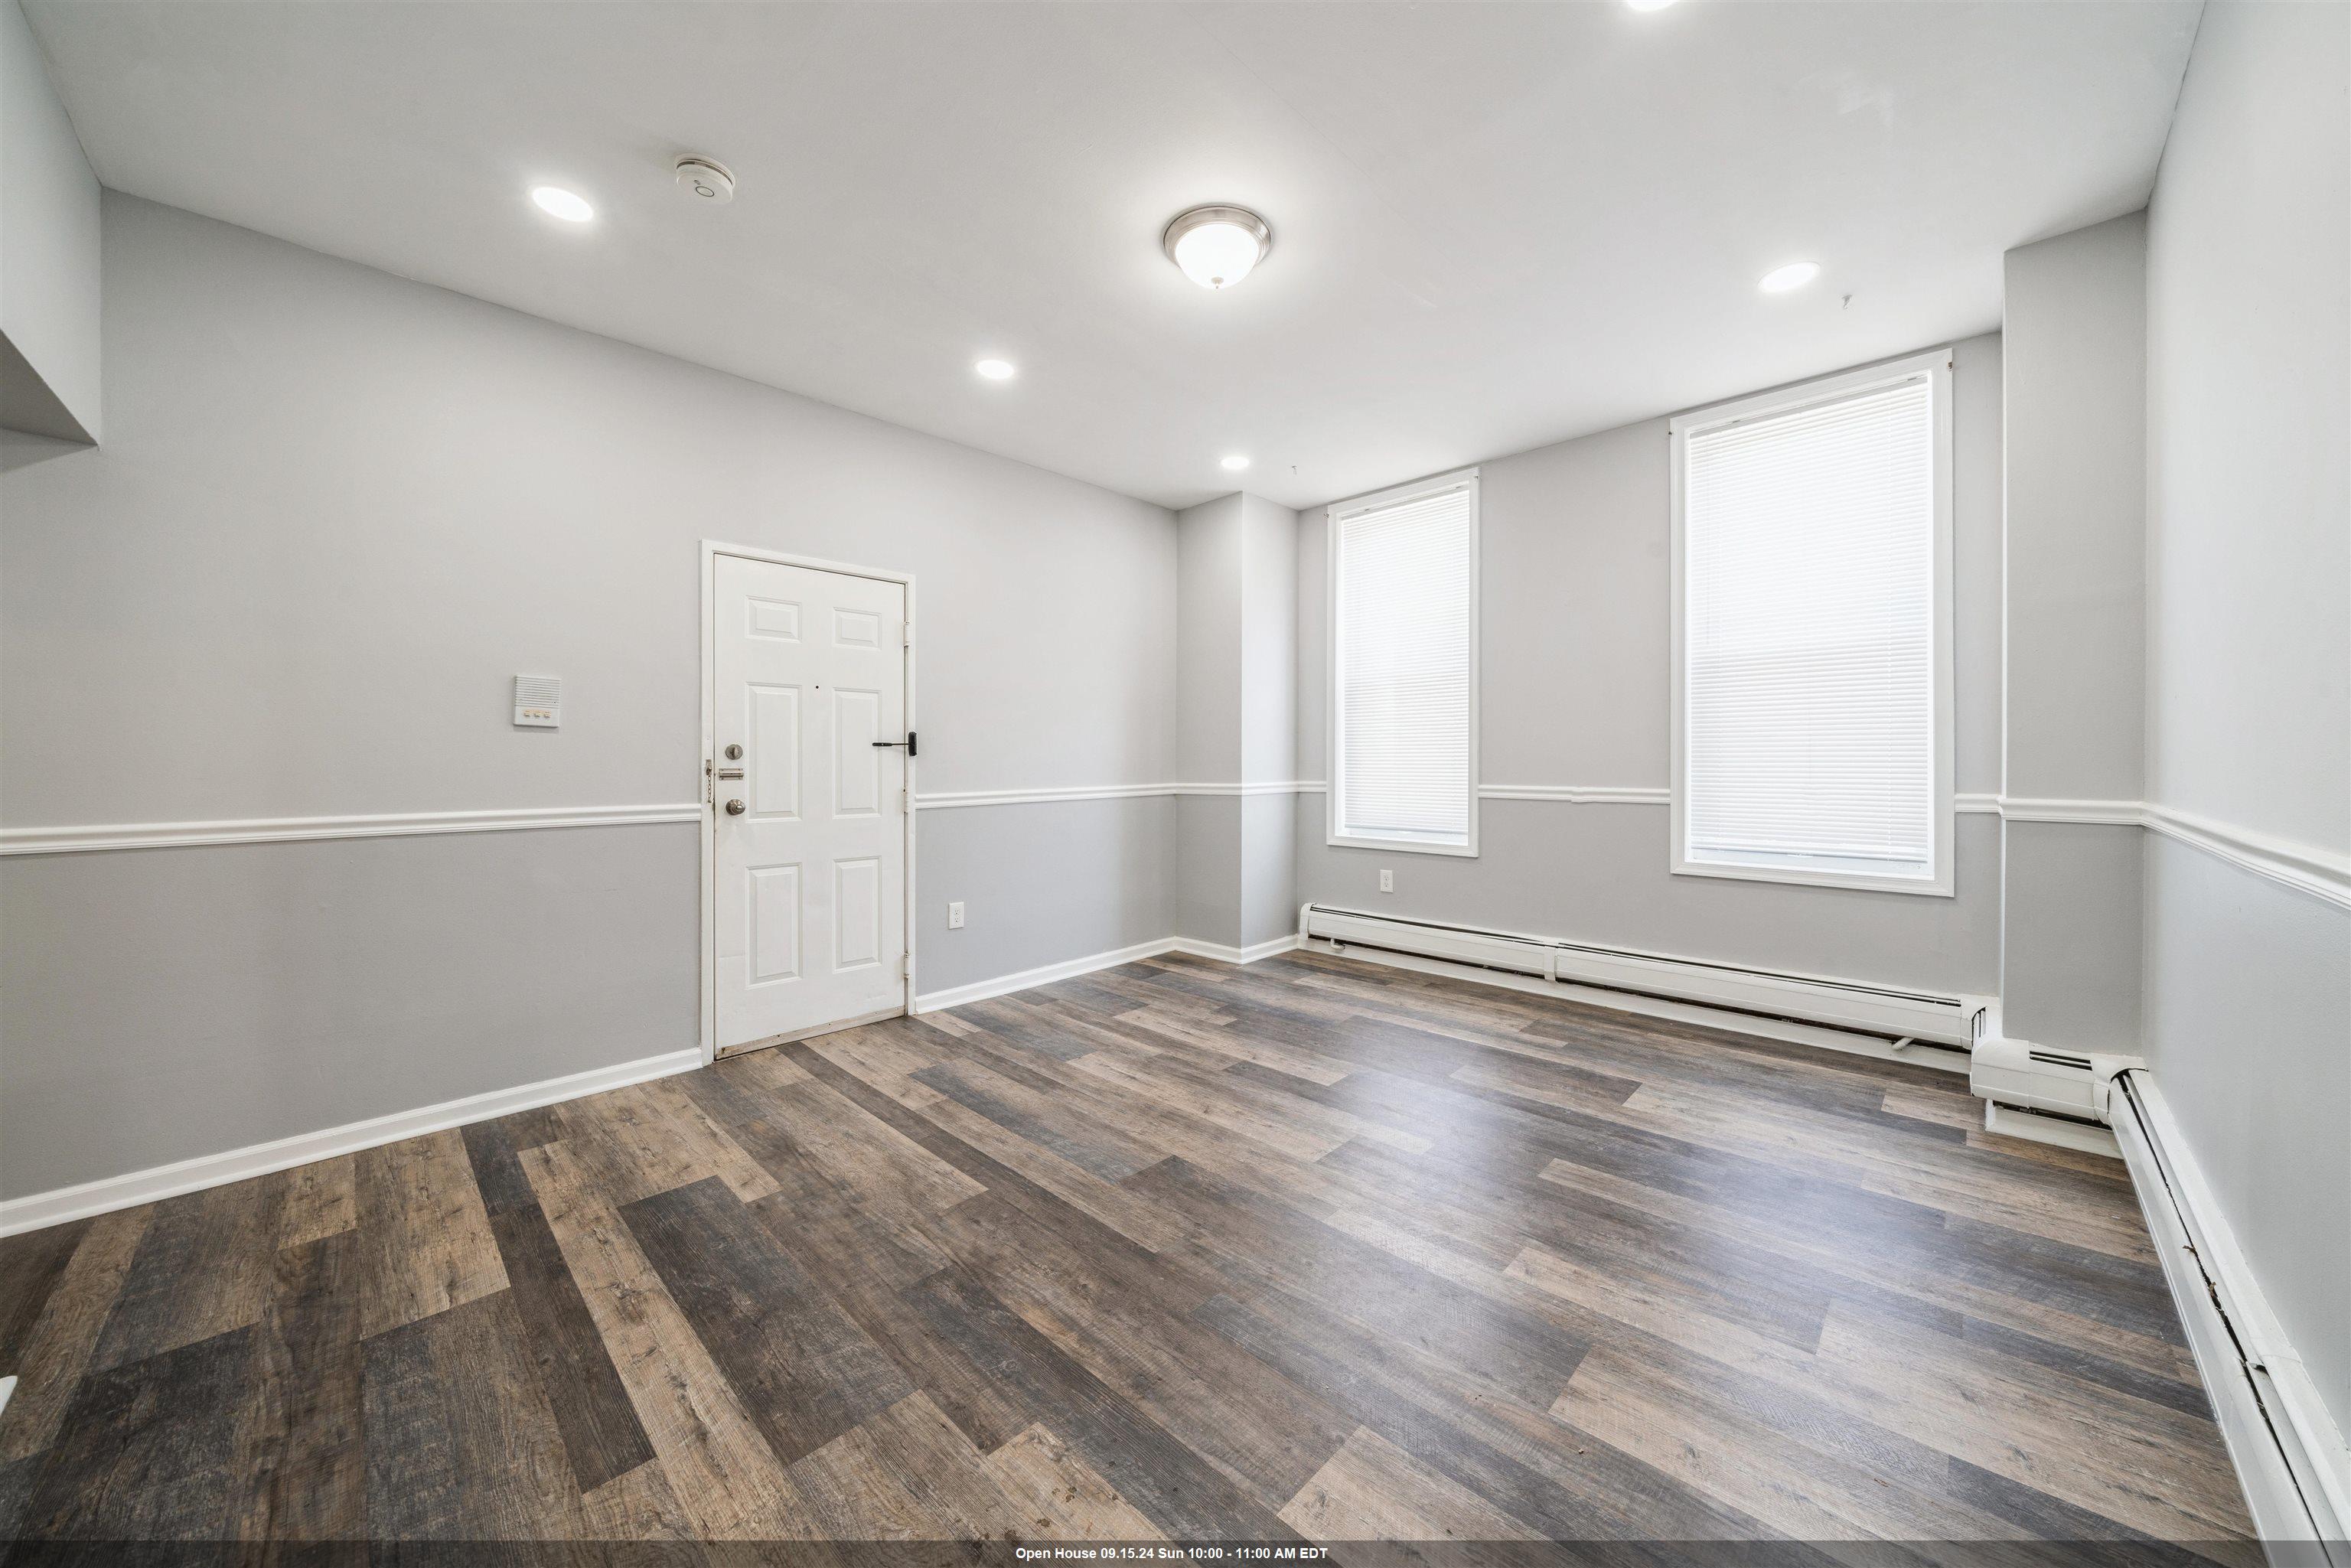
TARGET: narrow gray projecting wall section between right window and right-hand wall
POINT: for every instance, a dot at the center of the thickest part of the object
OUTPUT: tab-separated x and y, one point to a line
2075	391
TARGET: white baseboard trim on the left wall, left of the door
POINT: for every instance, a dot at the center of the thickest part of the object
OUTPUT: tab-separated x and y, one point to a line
262	1158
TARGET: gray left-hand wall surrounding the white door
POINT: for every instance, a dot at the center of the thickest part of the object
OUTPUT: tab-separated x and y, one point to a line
333	518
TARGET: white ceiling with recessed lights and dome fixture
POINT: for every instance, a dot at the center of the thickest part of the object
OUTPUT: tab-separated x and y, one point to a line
1494	225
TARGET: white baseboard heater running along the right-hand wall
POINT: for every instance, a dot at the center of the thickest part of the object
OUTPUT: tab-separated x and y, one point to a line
2289	1452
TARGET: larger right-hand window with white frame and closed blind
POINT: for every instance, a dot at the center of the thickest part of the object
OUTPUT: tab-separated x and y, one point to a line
1814	634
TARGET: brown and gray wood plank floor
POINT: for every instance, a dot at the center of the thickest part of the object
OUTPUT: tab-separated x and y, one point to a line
1174	1252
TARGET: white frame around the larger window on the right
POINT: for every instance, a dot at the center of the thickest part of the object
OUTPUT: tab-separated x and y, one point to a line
1934	368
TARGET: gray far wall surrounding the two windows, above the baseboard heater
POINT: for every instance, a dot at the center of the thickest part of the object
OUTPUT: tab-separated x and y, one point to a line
1574	579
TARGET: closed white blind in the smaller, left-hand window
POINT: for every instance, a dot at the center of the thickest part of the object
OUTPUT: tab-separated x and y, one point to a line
1405	582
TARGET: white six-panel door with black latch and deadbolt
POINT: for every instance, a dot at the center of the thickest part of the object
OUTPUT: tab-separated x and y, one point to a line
810	880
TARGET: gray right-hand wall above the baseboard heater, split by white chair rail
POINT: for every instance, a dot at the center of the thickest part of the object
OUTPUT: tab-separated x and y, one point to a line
2249	643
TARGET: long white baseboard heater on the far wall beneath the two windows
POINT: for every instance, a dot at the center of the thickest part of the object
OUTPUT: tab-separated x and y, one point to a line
1945	1019
